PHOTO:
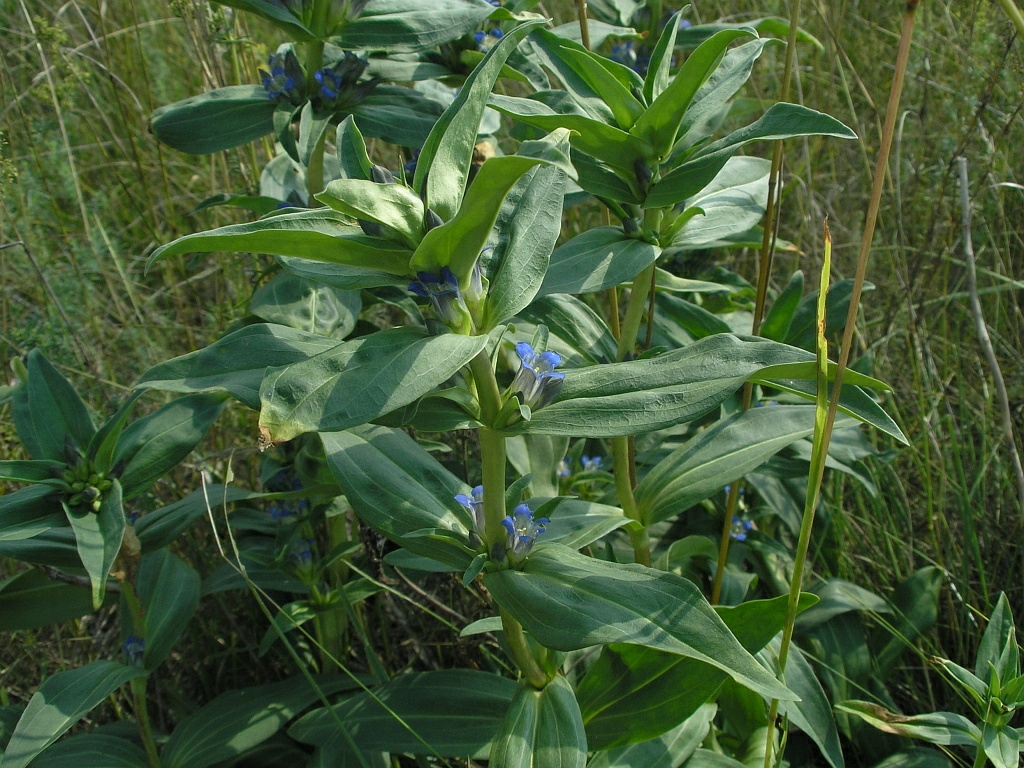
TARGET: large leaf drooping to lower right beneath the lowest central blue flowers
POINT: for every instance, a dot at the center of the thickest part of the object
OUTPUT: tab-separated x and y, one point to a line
568	602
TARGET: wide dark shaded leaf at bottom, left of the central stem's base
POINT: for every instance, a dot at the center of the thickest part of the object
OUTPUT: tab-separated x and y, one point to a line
446	713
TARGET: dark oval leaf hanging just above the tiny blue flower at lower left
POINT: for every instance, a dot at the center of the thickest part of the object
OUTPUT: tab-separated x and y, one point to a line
169	591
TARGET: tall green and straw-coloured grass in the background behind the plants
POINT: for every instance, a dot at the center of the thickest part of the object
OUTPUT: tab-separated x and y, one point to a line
88	195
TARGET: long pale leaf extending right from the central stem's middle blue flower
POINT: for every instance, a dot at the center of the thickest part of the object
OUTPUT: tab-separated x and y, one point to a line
625	399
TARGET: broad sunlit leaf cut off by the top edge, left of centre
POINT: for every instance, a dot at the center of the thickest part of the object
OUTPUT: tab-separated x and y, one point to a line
411	26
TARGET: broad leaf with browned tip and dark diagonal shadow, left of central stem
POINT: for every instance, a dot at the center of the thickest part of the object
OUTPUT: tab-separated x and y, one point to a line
361	380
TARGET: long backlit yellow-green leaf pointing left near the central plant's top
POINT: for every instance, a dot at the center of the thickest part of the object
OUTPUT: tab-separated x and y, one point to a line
320	235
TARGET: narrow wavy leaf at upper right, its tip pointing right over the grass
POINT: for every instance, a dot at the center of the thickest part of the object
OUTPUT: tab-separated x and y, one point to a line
781	121
